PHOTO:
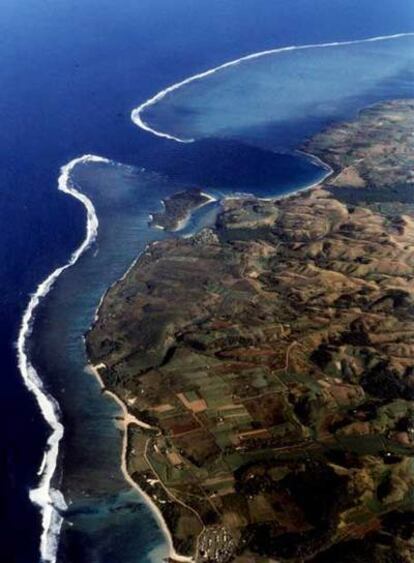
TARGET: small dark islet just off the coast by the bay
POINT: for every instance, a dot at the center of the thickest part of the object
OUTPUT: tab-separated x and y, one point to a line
178	208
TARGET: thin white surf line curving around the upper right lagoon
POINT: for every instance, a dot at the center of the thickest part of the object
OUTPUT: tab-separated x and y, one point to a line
136	114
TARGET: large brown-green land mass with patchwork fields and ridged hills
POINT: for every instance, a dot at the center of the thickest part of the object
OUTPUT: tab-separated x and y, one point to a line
267	363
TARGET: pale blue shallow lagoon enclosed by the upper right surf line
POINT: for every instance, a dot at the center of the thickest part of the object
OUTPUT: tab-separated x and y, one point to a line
278	99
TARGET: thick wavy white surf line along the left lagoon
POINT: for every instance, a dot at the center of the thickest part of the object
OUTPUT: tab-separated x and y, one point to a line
49	499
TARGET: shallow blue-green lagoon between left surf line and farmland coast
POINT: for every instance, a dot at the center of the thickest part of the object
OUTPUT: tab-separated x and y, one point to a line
103	512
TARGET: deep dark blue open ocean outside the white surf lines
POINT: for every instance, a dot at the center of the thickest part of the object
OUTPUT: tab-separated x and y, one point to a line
71	72
